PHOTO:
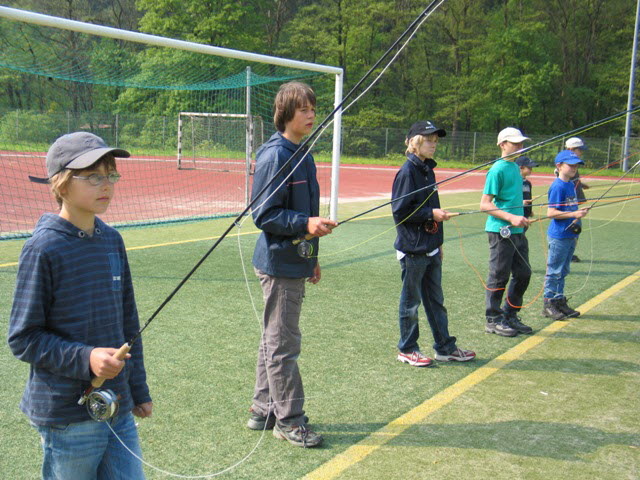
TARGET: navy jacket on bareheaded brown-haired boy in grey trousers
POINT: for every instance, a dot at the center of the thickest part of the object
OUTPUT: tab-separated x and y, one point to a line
283	211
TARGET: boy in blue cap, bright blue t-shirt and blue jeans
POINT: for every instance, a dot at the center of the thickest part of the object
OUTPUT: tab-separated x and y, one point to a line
562	235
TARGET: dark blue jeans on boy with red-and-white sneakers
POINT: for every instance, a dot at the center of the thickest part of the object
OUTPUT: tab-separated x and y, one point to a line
422	281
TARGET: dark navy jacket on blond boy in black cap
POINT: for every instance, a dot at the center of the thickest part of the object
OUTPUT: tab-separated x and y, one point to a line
412	212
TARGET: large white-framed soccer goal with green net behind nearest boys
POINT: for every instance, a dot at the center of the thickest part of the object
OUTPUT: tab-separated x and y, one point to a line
59	77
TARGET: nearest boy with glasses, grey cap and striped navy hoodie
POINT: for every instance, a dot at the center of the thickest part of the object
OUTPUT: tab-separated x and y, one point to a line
73	308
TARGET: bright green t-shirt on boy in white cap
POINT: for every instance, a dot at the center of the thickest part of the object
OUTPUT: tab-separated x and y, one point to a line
504	182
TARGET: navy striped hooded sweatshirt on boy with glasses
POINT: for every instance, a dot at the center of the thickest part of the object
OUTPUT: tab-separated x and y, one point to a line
73	293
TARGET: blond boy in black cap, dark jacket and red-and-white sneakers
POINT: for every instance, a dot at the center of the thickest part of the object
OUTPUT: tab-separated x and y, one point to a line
418	217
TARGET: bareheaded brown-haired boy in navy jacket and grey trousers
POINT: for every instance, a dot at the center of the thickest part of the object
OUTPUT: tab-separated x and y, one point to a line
288	209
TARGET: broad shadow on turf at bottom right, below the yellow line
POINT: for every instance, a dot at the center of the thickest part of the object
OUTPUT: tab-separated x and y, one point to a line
561	441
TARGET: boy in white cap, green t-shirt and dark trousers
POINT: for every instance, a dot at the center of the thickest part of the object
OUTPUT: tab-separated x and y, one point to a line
508	247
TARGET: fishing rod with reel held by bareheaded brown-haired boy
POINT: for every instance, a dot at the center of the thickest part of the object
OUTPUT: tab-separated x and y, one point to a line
305	249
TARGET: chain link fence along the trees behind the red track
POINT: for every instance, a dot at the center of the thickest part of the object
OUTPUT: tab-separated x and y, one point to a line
158	134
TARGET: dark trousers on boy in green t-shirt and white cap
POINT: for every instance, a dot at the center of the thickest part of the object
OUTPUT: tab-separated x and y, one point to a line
507	257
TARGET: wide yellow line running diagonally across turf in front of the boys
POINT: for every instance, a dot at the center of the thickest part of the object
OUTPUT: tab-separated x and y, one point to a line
370	444
